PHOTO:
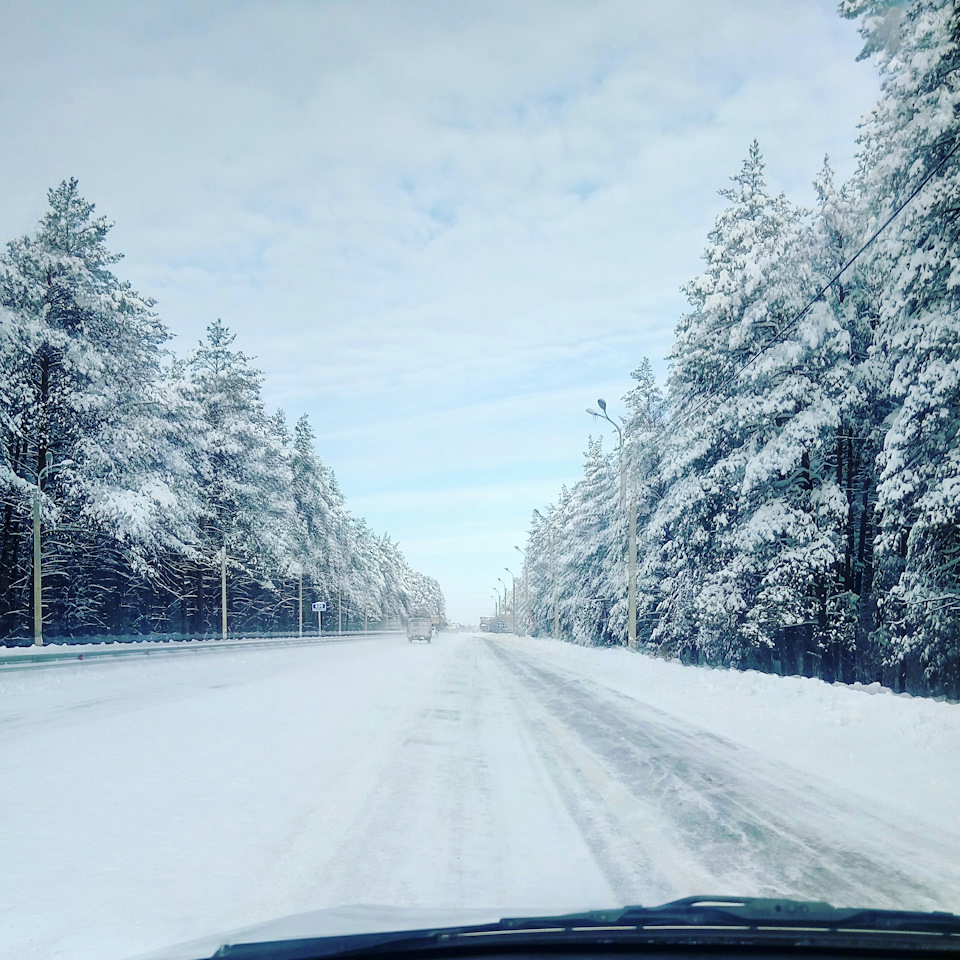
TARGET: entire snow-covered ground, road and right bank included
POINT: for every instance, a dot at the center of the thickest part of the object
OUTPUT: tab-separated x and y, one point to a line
147	802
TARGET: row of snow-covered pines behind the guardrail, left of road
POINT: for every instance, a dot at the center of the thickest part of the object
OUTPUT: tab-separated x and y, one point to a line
163	468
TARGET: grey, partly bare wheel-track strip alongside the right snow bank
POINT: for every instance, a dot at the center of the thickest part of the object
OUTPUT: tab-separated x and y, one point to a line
670	811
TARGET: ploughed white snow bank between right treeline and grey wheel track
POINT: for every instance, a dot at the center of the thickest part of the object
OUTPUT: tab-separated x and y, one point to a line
892	749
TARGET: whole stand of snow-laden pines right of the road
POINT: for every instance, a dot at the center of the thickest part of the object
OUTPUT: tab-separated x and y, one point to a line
797	482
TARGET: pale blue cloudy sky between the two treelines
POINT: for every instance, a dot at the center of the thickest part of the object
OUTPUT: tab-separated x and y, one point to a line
442	227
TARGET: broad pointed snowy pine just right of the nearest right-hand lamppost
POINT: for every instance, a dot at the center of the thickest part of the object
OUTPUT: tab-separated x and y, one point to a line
747	531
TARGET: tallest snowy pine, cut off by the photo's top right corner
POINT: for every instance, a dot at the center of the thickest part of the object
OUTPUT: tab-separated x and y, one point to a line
915	125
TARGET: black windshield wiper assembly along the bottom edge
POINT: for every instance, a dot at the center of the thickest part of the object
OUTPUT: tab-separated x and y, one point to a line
699	921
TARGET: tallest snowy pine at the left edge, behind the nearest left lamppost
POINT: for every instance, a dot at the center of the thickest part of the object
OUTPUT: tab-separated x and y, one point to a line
81	360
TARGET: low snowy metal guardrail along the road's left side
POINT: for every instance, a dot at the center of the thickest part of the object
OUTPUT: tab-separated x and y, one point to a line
67	654
